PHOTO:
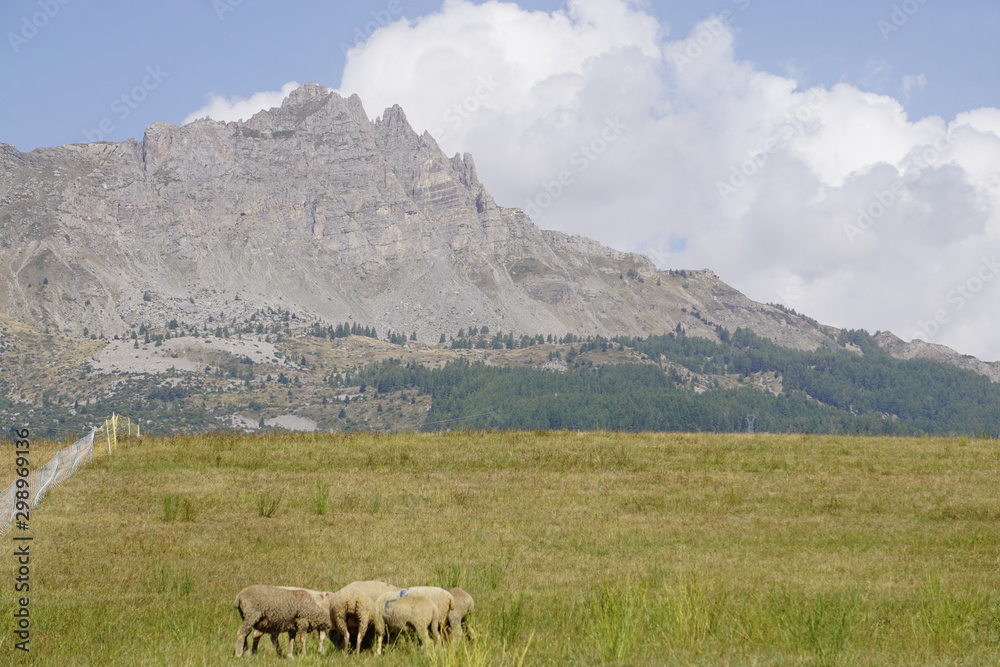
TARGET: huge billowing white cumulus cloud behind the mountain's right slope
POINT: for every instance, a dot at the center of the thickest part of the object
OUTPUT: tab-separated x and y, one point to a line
597	121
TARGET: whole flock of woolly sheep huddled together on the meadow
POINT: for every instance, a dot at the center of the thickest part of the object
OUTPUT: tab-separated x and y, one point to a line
427	611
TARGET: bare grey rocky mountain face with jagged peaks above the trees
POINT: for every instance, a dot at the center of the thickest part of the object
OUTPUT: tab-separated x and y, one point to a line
312	208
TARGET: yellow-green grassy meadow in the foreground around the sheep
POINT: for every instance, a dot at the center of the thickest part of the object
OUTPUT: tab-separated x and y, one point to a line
579	548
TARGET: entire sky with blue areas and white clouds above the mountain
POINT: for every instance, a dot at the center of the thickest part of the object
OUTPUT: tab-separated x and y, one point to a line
842	158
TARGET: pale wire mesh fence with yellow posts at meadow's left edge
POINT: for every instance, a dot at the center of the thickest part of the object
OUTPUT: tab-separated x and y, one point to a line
59	469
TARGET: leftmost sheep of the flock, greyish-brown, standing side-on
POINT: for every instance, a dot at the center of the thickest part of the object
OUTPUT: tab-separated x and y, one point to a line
274	609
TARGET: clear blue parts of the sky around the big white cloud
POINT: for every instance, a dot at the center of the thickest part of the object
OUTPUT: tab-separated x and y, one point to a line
64	79
